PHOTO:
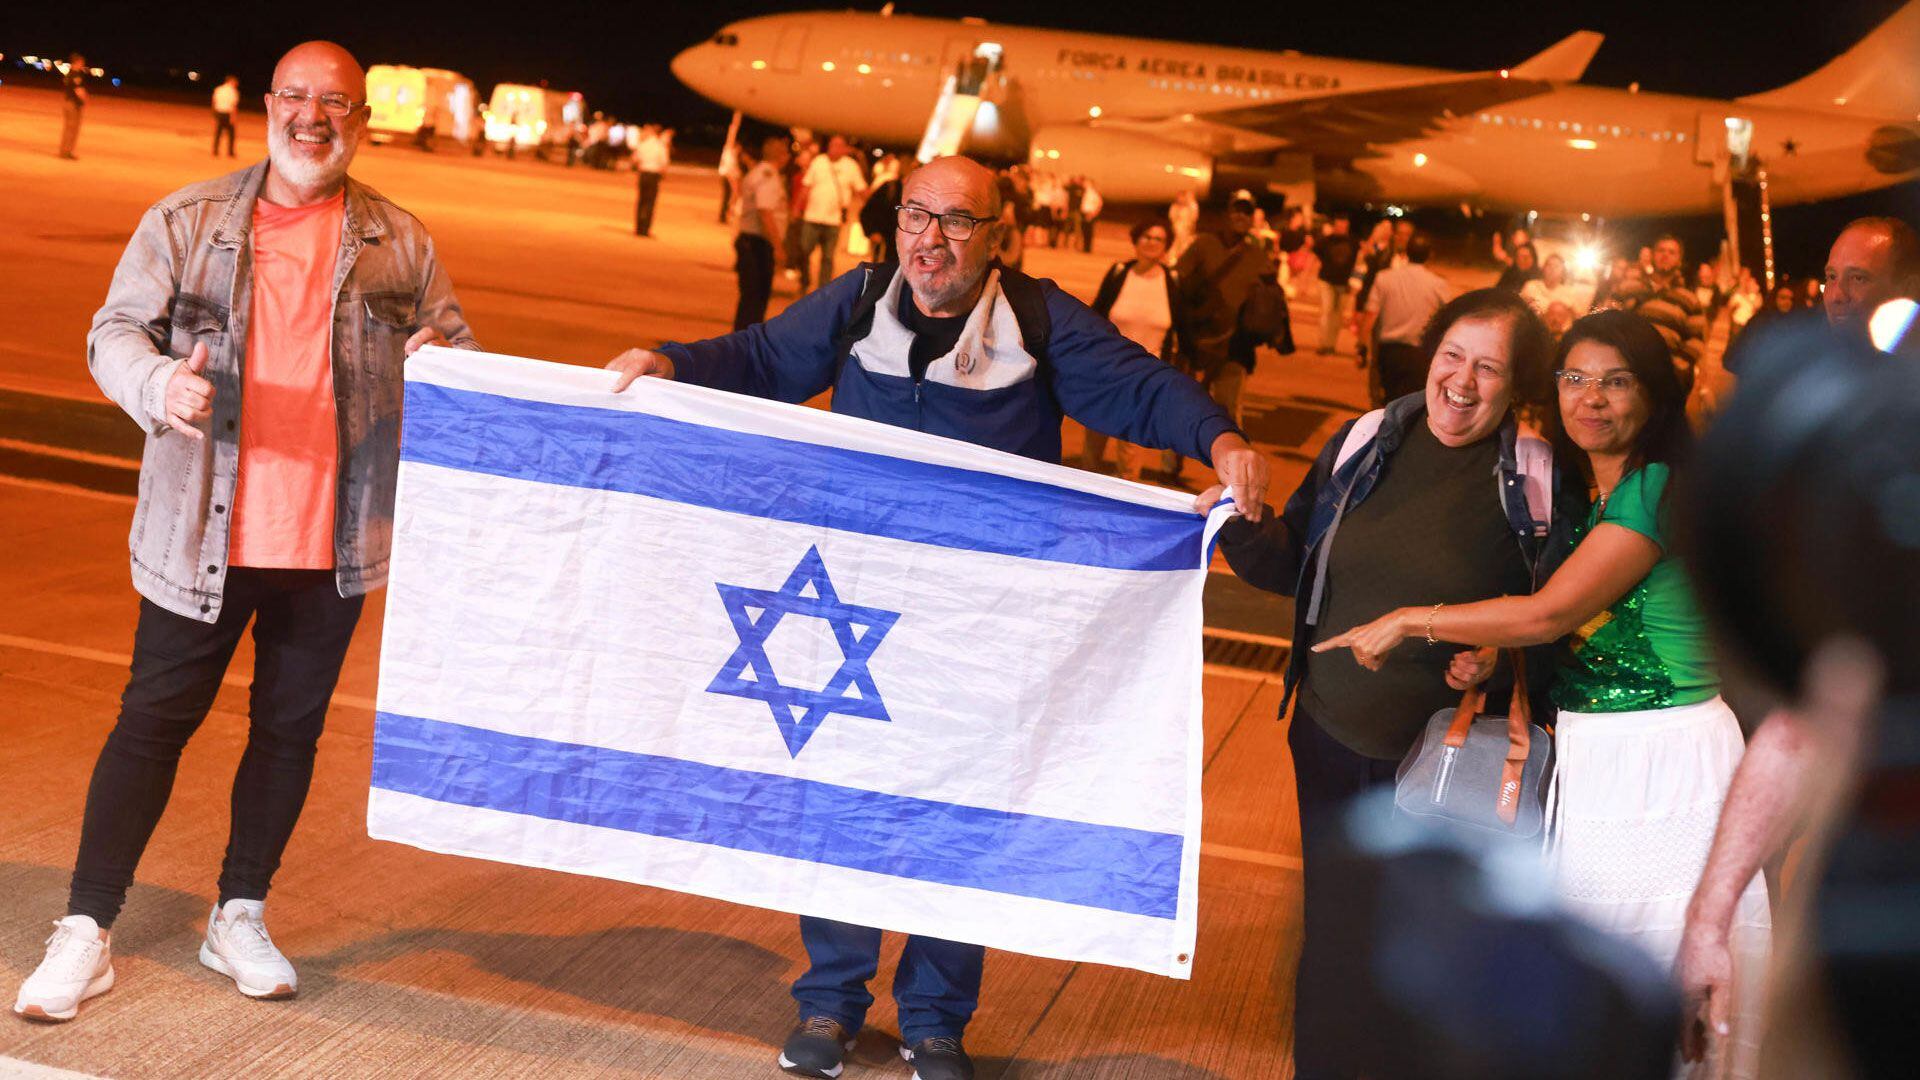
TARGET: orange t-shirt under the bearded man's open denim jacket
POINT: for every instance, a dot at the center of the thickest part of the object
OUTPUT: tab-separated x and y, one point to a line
289	447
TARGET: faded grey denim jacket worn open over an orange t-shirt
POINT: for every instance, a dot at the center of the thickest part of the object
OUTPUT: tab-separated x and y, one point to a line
187	278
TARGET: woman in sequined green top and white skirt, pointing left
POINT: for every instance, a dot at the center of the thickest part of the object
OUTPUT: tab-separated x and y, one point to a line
1644	745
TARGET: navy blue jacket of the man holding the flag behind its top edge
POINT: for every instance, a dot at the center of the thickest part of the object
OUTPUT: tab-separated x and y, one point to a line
1090	372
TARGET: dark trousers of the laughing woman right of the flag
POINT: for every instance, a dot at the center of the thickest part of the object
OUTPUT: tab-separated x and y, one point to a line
1328	775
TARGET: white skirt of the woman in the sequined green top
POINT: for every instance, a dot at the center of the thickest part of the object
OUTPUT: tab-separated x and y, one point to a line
1633	810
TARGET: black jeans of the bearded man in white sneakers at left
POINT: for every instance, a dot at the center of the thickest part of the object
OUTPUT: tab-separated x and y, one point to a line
300	637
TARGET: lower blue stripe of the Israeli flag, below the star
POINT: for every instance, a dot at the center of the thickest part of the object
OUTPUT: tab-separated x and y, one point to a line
1020	854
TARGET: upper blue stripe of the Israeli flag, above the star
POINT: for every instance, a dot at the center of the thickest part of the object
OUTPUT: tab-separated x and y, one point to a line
782	479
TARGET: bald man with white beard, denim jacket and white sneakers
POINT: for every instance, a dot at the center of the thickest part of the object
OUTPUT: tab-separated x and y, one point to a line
256	331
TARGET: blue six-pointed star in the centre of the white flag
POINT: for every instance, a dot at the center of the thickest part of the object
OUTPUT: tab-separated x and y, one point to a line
750	674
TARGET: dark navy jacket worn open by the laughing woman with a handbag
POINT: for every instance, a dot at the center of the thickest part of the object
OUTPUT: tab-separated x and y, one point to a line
1287	552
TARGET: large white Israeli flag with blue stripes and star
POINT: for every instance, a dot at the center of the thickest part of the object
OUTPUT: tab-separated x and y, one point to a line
794	660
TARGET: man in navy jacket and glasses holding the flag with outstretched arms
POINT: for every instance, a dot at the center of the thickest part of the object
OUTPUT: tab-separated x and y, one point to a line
955	345
